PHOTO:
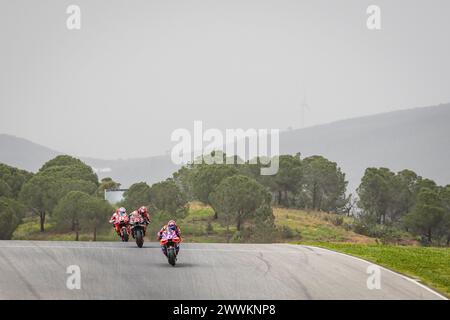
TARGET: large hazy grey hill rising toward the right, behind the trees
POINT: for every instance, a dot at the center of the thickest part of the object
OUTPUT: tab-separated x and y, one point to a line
416	139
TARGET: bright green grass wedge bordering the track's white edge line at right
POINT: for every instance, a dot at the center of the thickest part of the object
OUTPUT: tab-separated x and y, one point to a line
429	265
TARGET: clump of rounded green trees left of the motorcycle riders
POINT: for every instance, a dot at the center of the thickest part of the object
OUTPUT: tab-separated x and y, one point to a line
64	188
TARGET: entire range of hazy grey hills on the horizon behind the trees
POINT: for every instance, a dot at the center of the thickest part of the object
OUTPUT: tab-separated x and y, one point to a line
417	139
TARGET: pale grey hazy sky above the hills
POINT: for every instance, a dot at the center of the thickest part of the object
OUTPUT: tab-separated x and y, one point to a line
137	70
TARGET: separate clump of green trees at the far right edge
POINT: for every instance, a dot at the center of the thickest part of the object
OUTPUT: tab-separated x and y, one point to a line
403	201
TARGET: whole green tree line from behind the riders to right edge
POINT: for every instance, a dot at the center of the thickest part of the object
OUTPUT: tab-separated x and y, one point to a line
387	205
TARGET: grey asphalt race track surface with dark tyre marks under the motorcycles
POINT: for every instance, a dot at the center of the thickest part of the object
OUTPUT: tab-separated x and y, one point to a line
115	270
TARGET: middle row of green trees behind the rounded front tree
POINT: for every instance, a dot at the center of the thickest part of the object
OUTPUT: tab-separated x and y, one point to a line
312	183
